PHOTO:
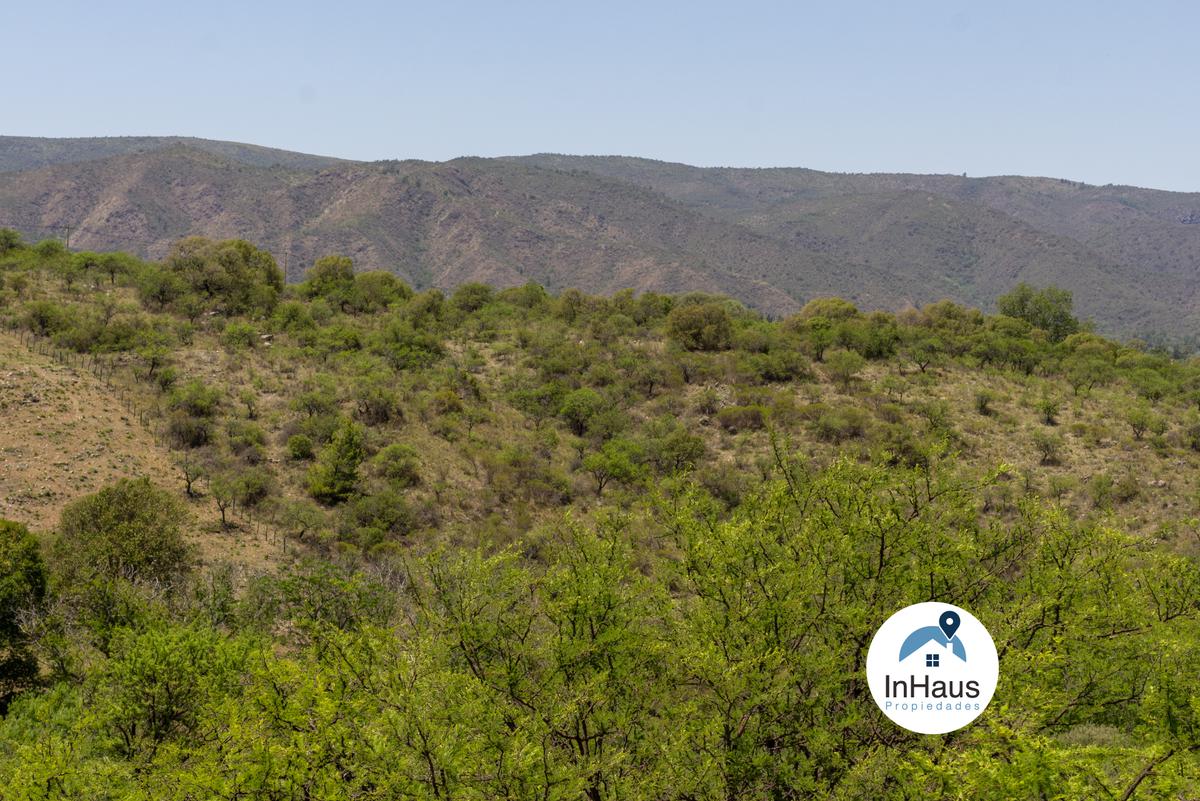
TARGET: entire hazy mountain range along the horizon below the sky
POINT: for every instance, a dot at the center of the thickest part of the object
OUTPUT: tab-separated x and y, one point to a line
772	238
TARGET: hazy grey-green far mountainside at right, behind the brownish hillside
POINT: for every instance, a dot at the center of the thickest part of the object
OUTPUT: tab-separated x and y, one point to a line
1120	249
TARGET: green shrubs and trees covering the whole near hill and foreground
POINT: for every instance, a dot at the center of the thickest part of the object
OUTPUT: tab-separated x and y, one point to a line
573	547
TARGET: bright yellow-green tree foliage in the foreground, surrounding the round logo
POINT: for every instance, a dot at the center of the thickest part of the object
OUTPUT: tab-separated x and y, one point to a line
719	659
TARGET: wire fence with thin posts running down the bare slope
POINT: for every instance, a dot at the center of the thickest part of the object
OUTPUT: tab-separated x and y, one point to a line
119	376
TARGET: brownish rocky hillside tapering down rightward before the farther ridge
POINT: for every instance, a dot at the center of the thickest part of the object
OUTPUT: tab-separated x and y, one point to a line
433	225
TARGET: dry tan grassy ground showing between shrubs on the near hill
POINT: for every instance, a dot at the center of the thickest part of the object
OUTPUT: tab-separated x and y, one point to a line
88	439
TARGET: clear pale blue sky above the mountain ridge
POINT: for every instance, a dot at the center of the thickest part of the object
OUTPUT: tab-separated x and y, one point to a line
1095	92
